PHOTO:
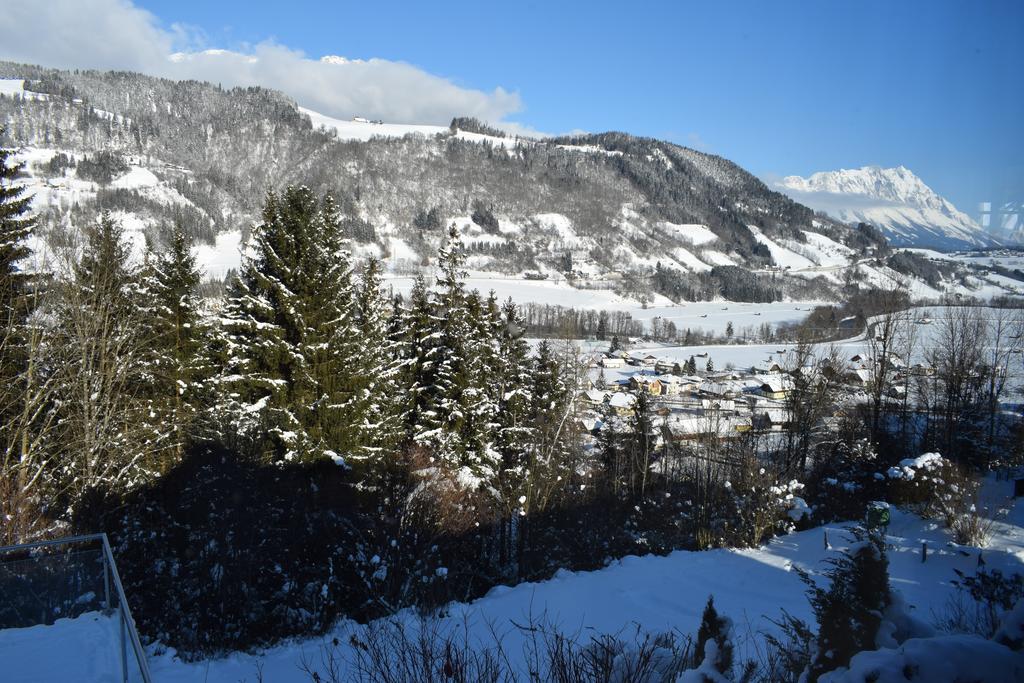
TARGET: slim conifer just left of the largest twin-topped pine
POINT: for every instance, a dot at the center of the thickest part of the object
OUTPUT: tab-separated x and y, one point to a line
177	336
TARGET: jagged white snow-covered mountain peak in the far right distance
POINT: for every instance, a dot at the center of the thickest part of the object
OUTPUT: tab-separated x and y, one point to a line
894	200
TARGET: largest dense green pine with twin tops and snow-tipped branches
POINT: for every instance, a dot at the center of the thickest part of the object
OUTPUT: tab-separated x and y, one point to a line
292	335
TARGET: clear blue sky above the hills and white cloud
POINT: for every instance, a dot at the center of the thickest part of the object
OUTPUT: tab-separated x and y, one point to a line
780	88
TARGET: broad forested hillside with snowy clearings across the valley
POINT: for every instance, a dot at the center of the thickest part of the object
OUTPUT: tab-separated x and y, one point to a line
611	210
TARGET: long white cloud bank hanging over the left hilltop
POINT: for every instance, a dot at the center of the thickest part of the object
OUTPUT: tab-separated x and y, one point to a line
115	34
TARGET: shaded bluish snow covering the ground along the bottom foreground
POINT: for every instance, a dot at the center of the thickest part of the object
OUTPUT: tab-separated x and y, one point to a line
655	594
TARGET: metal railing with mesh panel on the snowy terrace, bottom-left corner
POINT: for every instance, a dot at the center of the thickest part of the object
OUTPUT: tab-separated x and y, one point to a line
49	580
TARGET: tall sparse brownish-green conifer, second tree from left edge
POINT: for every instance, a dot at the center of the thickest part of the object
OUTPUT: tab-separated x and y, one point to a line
100	366
